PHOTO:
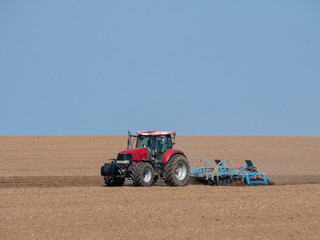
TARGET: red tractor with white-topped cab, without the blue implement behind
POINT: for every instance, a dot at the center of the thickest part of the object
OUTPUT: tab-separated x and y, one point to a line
151	159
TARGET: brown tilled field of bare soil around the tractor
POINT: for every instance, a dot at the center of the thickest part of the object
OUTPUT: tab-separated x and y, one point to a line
50	188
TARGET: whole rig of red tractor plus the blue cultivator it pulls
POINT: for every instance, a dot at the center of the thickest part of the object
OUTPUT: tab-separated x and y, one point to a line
150	156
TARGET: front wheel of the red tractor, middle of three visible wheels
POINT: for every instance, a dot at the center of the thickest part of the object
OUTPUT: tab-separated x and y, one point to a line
143	174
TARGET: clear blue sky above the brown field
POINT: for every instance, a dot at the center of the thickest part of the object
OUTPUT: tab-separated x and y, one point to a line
194	67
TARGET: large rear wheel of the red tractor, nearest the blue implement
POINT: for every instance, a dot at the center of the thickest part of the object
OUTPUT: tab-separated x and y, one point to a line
177	171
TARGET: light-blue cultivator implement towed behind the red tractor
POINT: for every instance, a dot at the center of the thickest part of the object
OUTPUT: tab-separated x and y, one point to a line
225	172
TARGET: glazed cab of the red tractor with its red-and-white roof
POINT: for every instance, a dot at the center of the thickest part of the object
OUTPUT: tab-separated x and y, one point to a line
157	143
